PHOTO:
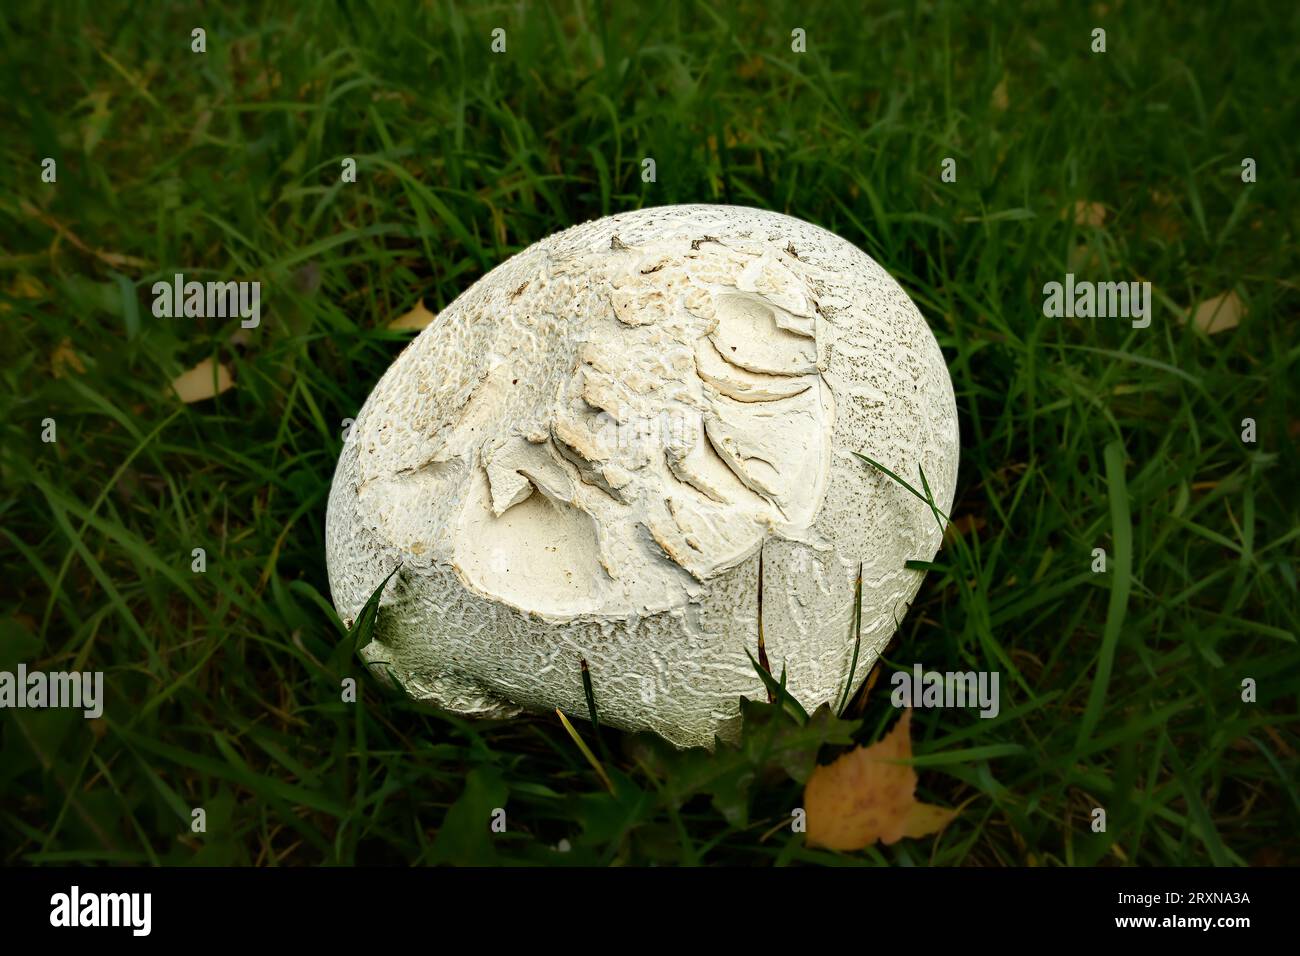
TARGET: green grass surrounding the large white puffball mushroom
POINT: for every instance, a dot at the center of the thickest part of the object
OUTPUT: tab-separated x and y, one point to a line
1121	690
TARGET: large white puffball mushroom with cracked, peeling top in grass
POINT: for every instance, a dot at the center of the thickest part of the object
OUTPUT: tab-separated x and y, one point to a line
599	448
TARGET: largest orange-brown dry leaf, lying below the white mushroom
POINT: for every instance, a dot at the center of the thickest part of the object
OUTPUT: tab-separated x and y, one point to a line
868	795
